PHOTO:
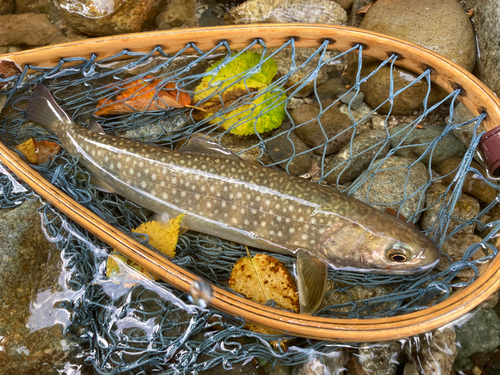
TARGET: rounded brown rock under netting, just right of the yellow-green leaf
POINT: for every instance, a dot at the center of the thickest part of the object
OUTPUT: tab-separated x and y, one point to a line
335	125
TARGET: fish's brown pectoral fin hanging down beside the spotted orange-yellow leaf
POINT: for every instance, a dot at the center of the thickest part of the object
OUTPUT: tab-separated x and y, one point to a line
311	275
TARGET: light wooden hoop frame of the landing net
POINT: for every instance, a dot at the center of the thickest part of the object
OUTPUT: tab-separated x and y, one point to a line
475	95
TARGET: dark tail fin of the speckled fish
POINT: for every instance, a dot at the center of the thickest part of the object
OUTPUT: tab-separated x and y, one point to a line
44	110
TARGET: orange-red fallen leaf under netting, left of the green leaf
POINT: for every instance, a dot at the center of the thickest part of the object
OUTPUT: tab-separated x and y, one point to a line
143	95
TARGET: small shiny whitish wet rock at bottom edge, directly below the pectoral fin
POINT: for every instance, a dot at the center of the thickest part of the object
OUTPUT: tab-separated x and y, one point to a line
323	364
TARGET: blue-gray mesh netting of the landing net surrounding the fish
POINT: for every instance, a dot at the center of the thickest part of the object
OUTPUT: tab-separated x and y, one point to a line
187	338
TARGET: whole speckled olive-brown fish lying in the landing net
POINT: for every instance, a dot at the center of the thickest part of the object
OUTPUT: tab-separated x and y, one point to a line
241	201
